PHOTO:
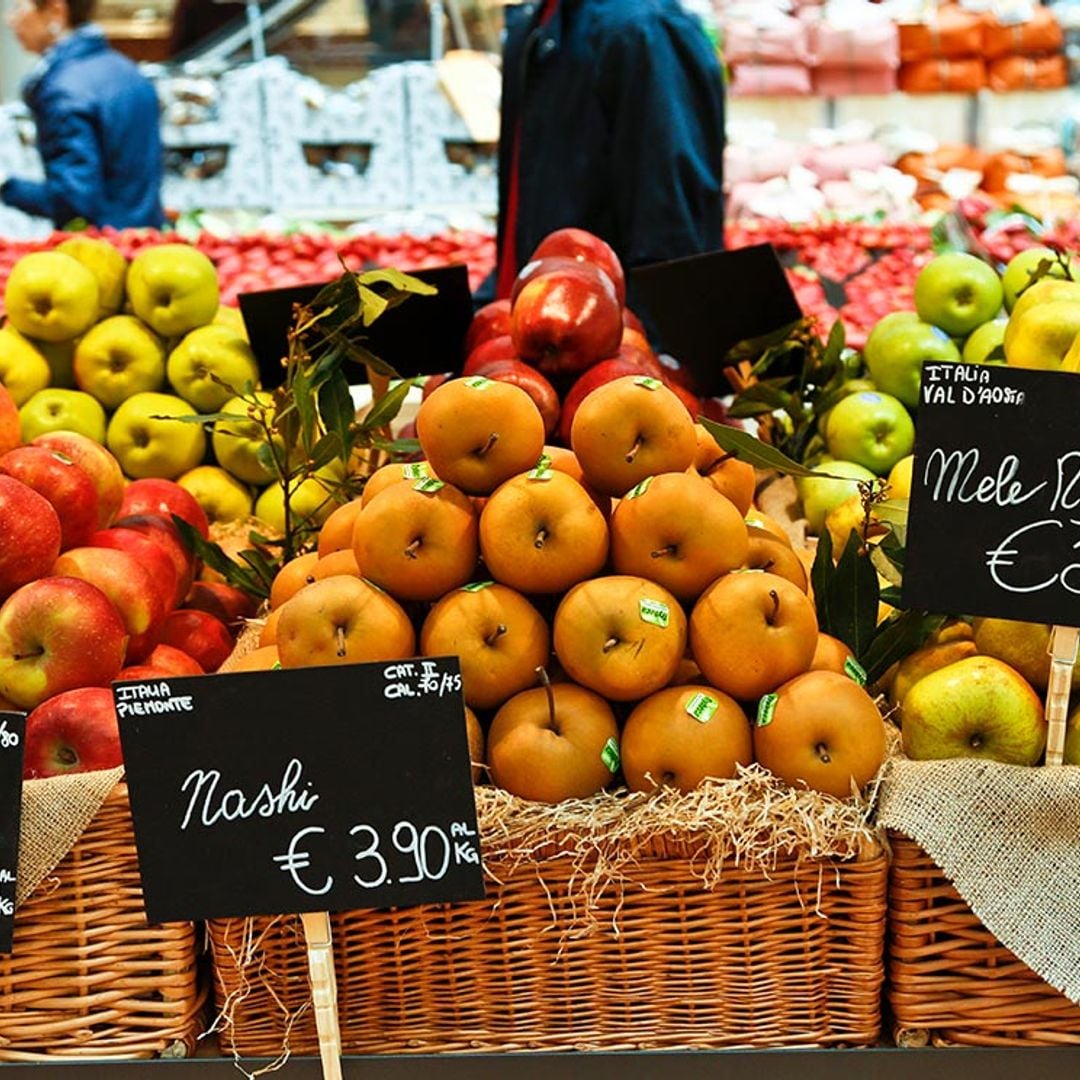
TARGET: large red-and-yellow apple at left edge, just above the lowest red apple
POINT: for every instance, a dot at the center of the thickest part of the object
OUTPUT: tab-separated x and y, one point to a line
58	634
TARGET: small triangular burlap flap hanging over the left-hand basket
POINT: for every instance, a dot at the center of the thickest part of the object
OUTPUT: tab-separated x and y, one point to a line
56	814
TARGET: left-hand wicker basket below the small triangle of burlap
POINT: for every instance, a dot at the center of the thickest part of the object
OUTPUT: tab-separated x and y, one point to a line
88	978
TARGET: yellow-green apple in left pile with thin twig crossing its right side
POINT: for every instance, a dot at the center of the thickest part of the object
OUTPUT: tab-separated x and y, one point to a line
148	439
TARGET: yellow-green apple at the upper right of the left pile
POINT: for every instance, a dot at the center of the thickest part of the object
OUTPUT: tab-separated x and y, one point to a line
173	289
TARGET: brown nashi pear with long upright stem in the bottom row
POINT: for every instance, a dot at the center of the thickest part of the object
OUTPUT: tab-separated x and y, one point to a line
553	744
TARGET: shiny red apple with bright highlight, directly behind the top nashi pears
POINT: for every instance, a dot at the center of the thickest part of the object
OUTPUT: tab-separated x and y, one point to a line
565	321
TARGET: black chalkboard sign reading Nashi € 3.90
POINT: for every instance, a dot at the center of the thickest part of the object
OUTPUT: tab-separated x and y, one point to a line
307	790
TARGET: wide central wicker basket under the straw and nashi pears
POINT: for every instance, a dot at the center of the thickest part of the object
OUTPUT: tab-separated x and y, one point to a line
792	960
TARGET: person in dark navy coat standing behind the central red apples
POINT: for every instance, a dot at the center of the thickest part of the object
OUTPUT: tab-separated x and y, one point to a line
613	121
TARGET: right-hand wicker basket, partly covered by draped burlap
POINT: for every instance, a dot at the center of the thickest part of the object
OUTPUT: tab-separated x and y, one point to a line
951	981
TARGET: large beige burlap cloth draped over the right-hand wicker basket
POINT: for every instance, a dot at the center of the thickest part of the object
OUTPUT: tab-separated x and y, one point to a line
1008	838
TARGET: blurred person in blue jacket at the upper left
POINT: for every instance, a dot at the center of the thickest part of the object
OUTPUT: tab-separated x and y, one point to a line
98	123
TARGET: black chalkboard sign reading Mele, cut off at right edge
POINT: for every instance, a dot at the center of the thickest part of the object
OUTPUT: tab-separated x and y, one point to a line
994	524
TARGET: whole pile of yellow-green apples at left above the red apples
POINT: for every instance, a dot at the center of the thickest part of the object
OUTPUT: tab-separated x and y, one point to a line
124	353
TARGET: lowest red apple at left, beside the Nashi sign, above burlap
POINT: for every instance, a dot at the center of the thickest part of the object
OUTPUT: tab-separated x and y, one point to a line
74	732
